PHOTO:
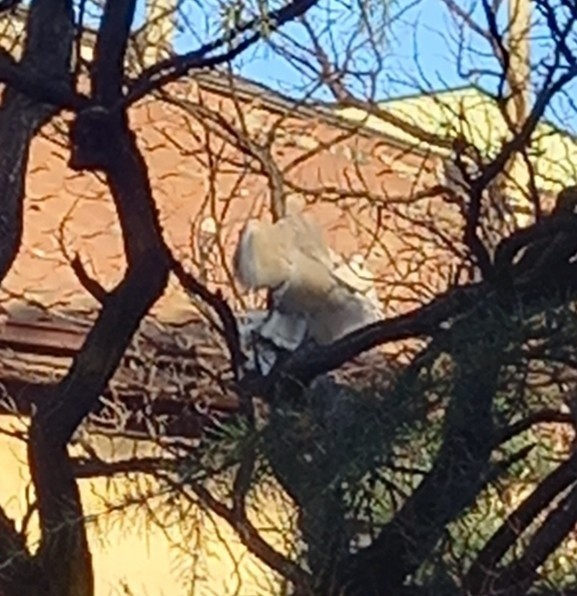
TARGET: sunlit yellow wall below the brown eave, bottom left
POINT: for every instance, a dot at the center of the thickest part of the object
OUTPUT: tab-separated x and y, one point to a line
134	555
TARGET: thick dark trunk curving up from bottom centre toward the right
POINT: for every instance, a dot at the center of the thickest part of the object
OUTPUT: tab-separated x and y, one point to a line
458	471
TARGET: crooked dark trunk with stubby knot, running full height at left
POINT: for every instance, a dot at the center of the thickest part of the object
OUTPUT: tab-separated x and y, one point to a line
105	143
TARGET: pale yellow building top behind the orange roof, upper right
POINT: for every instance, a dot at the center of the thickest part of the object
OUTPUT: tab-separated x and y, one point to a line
475	114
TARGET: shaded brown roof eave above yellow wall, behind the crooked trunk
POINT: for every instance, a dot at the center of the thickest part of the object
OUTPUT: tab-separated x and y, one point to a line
160	381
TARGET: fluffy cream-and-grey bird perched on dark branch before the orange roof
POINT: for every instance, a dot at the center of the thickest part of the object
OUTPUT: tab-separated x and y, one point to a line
312	296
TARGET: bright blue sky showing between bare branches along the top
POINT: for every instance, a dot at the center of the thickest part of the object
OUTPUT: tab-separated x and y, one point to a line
418	54
